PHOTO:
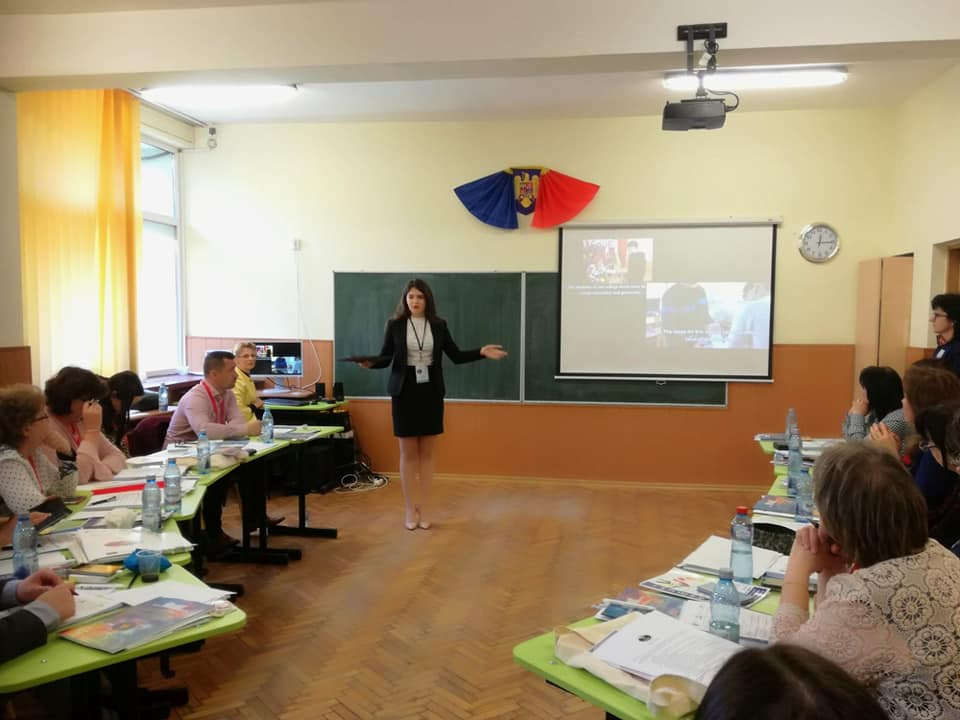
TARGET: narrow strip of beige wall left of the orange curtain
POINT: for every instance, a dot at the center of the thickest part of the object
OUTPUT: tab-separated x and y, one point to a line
11	303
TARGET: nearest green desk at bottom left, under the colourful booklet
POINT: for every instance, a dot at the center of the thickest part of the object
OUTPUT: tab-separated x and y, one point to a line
60	659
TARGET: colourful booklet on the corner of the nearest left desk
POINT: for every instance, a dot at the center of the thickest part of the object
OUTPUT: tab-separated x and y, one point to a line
139	625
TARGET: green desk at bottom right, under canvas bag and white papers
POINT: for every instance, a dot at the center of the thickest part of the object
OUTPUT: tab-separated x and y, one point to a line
536	655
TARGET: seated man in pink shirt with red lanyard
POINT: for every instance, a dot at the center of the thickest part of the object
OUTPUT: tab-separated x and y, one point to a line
212	407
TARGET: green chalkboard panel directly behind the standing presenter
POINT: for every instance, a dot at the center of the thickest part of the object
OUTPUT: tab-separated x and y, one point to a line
479	308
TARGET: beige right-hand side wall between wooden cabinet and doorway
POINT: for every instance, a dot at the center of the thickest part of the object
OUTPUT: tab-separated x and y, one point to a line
926	169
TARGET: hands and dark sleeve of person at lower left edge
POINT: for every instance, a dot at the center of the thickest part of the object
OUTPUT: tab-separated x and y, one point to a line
47	601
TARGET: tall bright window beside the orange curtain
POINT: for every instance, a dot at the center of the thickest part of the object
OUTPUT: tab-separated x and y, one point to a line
159	321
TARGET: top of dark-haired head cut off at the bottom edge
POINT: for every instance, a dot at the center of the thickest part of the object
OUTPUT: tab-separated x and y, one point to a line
786	682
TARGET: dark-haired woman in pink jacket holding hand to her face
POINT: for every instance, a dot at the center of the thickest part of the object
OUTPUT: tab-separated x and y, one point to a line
73	403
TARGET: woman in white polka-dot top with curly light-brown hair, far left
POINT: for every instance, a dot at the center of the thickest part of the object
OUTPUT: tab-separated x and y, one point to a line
27	476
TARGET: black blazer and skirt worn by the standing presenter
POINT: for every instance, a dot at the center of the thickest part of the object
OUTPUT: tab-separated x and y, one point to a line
418	407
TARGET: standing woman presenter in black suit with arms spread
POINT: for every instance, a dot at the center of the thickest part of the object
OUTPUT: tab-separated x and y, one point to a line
413	347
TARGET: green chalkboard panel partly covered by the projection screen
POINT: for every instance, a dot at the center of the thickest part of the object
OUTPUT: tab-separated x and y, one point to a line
542	345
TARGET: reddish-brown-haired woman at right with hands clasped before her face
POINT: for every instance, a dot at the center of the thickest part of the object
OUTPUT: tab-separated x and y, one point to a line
925	384
